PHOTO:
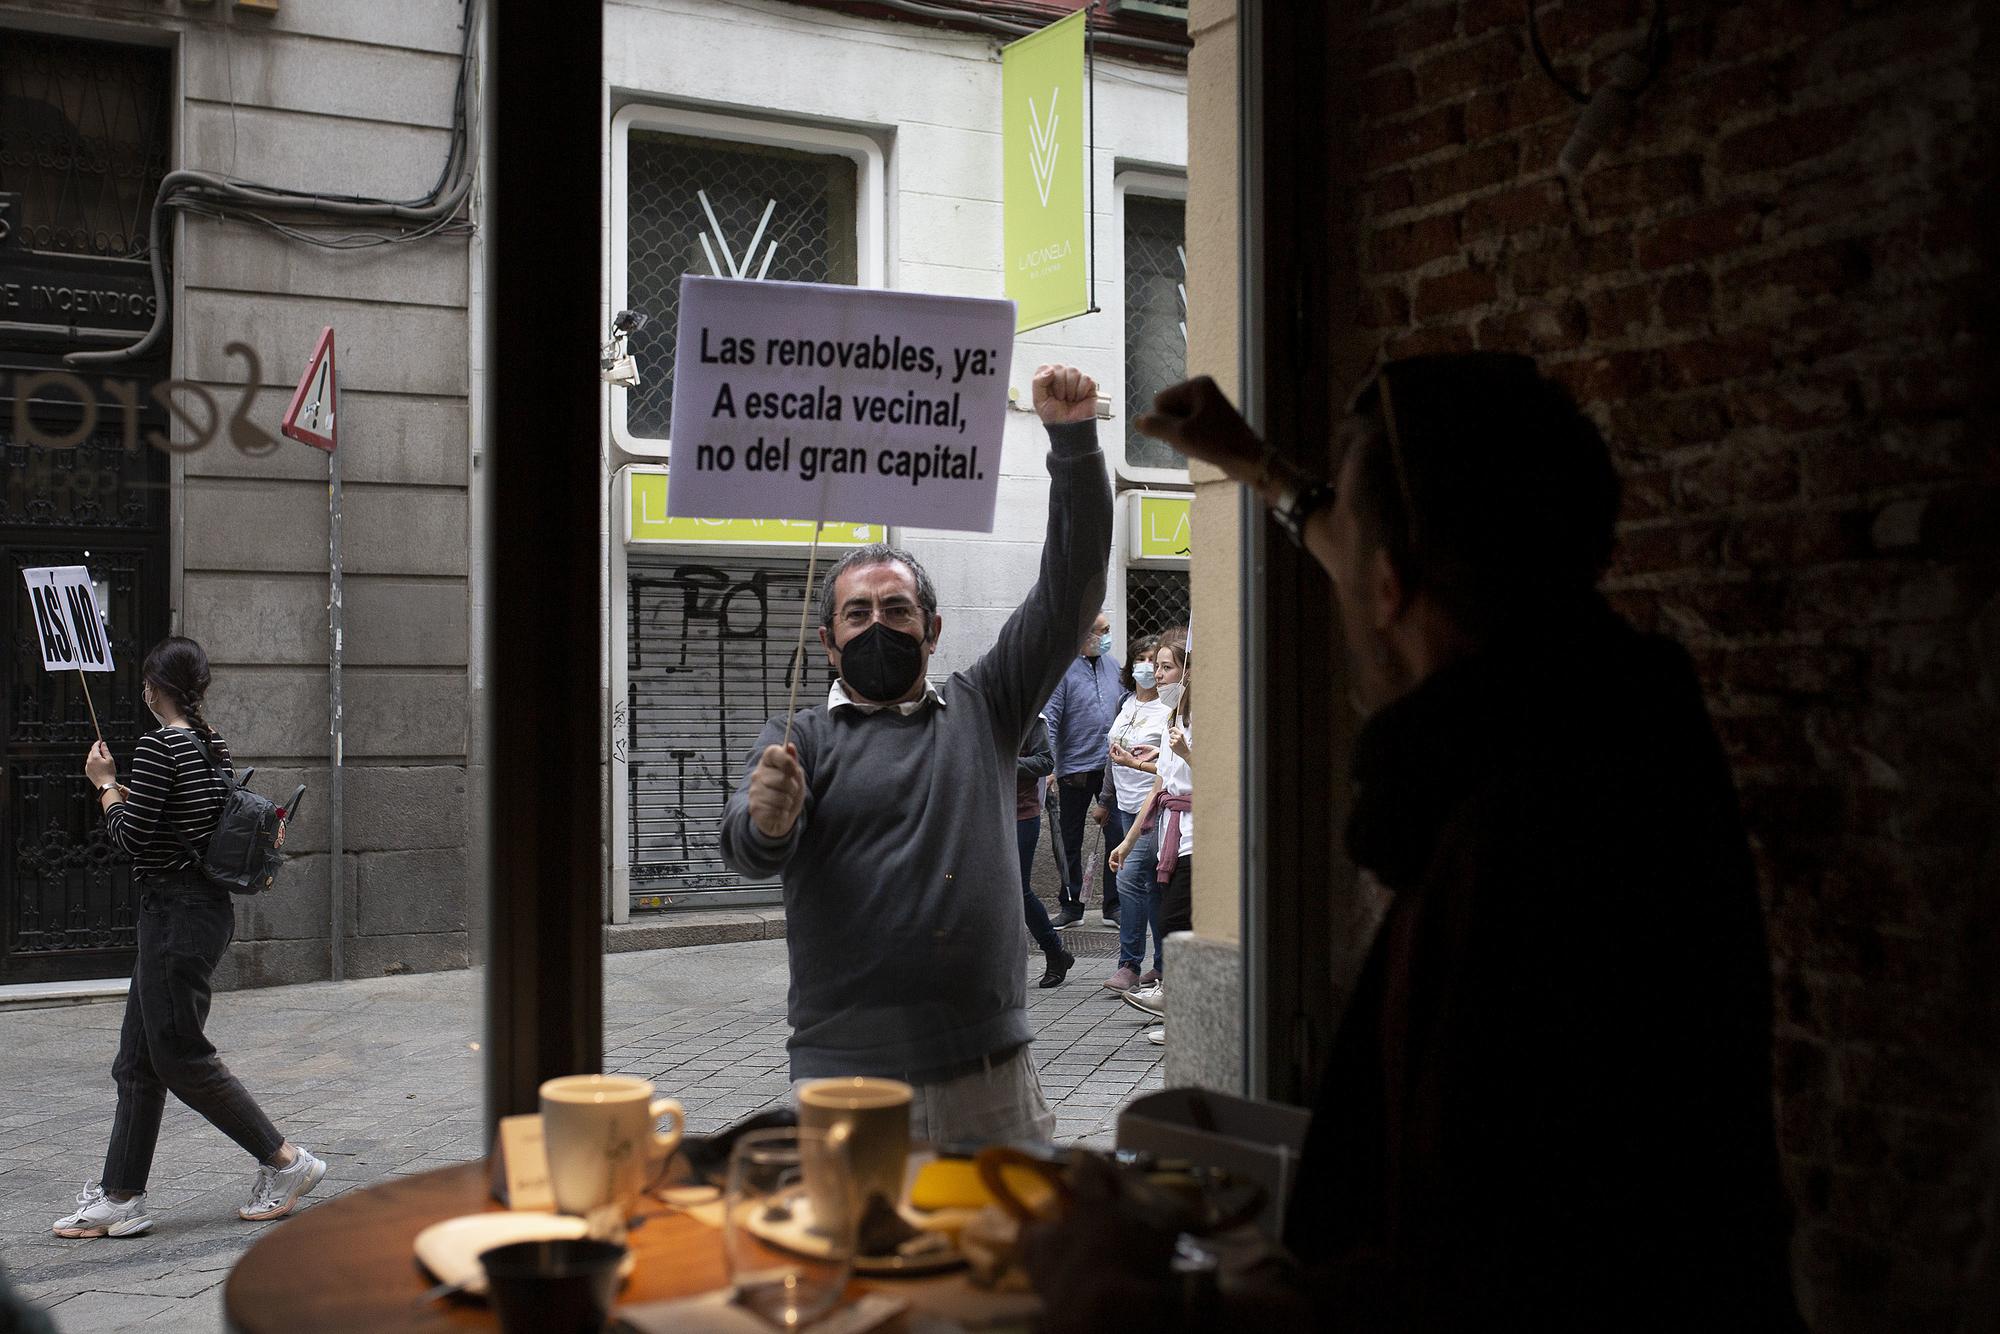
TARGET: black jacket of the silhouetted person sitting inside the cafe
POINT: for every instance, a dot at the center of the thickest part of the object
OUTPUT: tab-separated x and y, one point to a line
1549	1101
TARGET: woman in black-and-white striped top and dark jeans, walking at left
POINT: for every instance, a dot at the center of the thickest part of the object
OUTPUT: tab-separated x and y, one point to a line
185	927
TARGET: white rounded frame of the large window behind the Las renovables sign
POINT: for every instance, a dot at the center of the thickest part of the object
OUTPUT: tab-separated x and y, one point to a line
871	223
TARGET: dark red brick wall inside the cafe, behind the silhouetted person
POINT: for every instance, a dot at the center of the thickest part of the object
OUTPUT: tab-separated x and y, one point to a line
1771	293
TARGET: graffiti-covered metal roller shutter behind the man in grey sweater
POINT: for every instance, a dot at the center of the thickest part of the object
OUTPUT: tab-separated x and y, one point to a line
711	637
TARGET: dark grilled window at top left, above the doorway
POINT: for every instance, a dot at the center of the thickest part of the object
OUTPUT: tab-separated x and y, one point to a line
83	141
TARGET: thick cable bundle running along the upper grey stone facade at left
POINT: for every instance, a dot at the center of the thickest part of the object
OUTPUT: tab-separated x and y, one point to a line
227	199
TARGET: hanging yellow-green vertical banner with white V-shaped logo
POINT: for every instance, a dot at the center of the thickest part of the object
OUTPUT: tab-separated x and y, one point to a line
1043	109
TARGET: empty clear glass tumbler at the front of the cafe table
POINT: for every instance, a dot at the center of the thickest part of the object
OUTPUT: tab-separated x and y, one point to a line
787	1265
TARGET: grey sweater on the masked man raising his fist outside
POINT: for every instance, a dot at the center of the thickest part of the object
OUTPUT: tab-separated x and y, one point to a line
901	875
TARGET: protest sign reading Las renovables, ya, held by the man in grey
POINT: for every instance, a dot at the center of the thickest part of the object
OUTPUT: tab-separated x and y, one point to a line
809	401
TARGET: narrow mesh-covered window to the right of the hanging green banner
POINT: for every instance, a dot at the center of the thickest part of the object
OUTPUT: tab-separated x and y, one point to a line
1157	315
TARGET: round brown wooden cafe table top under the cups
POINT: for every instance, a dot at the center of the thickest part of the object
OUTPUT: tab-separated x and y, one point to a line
351	1263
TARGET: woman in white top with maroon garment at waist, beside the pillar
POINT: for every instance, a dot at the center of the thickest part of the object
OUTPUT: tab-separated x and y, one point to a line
1165	827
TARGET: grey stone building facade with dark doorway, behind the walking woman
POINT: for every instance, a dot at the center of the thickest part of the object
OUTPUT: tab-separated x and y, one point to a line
233	545
